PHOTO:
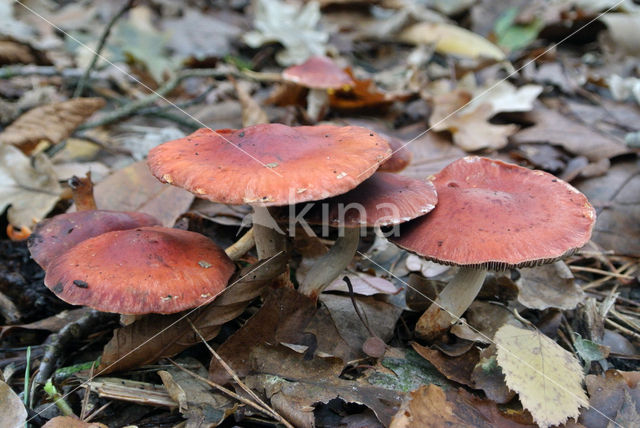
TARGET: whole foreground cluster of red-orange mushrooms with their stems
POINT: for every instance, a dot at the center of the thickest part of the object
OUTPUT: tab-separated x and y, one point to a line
476	213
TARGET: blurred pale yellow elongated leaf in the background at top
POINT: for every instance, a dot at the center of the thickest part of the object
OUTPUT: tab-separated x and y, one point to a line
449	39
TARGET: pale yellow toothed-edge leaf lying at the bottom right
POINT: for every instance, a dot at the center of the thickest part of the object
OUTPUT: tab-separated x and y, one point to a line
547	377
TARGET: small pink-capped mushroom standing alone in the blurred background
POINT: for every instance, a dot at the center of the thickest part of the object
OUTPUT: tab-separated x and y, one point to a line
320	75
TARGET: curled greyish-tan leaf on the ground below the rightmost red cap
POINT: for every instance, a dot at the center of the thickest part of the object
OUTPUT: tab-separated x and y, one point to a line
549	286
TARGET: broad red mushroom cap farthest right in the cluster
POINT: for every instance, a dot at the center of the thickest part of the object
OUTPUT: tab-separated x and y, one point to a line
497	215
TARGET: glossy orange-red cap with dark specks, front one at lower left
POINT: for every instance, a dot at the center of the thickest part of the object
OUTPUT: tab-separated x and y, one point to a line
139	271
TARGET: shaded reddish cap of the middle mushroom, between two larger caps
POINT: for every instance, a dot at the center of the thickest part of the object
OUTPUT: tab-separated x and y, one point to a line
381	200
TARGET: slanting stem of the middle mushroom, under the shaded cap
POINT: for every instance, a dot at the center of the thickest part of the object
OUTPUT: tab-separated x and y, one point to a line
331	265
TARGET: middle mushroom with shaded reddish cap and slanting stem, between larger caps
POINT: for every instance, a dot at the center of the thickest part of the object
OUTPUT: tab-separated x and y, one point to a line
382	200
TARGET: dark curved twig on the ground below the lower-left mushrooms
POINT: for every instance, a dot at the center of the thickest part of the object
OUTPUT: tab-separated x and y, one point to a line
56	343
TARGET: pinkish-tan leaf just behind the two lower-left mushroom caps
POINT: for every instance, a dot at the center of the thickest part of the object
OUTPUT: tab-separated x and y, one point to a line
133	188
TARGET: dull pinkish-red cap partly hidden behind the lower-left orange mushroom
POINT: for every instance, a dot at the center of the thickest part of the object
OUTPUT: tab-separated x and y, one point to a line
55	235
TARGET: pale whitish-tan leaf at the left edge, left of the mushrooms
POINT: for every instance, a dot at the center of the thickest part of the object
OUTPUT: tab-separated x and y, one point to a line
30	191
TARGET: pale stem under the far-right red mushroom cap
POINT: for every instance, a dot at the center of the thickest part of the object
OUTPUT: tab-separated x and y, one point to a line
451	303
